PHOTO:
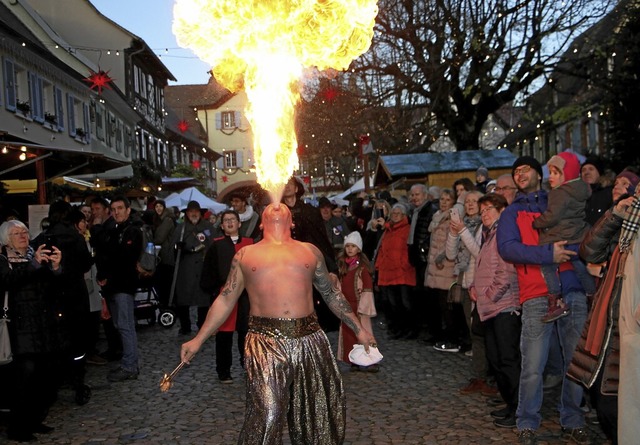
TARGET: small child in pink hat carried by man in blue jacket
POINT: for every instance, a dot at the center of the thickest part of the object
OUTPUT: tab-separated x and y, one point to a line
564	220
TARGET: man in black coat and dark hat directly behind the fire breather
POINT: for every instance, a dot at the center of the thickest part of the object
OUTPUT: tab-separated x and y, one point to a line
308	226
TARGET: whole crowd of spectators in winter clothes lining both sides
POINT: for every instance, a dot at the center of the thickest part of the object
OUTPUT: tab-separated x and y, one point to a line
470	268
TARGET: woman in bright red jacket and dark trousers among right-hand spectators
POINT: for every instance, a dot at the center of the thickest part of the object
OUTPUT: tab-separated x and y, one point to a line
396	275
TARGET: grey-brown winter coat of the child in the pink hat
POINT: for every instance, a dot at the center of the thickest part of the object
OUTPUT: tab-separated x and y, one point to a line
564	219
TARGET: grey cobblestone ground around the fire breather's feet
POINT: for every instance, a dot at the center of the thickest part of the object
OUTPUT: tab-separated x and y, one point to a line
413	400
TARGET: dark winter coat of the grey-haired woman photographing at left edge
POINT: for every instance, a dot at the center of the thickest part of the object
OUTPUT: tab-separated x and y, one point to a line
32	314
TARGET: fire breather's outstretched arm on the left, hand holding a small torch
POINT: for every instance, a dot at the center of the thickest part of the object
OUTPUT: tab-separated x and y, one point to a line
219	310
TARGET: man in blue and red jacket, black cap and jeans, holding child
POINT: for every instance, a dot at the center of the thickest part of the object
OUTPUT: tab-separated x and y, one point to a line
518	243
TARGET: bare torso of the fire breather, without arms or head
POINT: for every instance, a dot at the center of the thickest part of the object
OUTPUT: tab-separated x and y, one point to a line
278	278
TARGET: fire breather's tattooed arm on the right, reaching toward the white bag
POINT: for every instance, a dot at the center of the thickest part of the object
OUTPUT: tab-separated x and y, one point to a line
337	302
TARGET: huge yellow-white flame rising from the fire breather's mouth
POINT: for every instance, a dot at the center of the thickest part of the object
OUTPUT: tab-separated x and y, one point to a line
263	46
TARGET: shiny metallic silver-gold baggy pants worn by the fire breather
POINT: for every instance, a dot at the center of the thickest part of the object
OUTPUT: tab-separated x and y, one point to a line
292	377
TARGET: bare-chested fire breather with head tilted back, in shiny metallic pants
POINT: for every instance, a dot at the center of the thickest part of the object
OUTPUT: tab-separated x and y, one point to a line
291	371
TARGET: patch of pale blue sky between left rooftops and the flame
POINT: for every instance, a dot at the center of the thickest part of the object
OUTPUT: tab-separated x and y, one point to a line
151	20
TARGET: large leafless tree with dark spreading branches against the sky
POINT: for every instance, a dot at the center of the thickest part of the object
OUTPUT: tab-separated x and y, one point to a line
461	60
